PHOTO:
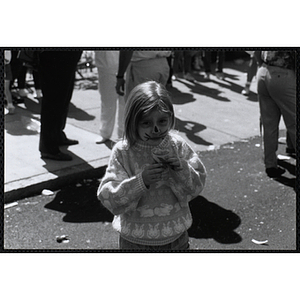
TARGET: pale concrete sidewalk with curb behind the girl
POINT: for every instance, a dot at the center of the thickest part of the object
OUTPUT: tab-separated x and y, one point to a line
208	114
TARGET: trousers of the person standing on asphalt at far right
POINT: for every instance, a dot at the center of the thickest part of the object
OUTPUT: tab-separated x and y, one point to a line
276	89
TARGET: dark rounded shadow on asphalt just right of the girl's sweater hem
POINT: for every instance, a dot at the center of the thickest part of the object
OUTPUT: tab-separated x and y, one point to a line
213	221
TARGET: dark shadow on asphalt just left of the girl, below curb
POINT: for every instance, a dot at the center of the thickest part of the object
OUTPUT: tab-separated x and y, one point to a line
80	204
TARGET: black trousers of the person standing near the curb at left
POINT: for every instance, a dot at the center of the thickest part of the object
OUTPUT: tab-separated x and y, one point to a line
57	76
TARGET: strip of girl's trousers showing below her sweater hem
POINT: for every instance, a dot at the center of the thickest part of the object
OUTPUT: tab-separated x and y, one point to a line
182	243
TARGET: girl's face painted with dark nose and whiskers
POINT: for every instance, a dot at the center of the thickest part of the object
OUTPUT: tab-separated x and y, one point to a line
153	127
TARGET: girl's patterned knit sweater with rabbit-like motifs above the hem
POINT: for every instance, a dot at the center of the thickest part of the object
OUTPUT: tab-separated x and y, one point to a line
157	215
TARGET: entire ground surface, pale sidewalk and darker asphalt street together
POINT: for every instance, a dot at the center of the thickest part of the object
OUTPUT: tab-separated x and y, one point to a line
240	208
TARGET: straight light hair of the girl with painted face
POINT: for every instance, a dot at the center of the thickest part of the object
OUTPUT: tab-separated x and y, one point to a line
142	99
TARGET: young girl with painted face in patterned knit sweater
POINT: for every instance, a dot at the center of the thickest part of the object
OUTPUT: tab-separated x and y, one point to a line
151	176
